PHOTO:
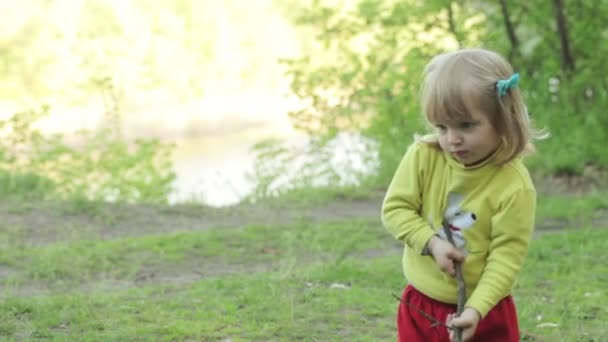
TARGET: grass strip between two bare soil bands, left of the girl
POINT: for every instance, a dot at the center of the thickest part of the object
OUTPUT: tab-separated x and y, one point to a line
251	245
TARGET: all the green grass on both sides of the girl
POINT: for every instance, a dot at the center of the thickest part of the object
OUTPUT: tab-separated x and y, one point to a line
312	282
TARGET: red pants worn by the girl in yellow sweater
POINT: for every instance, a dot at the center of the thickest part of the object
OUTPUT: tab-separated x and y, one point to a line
499	325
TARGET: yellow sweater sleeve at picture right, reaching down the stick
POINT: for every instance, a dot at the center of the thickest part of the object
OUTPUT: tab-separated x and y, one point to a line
512	229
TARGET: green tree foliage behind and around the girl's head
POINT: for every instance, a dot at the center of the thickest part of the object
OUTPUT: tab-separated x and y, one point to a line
363	73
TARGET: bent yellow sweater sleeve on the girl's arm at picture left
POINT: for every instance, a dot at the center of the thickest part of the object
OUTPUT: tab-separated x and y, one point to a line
402	204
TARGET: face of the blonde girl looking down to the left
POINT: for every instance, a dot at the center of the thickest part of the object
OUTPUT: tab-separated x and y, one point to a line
469	141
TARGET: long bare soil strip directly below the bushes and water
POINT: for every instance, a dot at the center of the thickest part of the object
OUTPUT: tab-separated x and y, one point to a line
38	224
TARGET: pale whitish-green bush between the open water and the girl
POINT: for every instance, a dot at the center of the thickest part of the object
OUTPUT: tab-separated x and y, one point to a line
281	170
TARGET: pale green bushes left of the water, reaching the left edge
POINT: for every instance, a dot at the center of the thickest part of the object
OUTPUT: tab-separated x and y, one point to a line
102	167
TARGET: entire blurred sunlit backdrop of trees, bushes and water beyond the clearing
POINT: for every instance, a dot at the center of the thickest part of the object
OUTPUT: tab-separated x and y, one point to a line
255	98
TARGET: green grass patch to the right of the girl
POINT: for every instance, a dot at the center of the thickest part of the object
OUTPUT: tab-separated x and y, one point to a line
564	282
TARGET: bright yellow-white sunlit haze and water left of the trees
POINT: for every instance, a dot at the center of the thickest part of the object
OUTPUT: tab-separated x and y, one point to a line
202	74
